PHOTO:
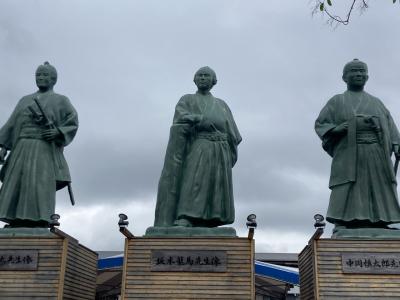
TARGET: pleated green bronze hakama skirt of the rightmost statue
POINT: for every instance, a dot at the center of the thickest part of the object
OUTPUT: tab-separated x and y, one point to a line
373	197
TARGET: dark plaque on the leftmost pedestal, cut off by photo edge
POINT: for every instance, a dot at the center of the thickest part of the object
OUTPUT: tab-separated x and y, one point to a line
18	260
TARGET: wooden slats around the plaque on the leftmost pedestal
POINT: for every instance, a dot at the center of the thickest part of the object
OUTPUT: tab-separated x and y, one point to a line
74	280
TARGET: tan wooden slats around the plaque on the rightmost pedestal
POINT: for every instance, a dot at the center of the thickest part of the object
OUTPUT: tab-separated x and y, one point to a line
334	284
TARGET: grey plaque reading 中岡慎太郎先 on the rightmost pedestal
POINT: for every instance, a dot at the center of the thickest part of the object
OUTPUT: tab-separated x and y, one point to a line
371	263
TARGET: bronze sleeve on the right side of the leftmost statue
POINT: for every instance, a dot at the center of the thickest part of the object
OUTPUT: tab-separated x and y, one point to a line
68	123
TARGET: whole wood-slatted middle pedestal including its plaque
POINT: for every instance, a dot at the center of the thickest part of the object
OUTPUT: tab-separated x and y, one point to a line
188	268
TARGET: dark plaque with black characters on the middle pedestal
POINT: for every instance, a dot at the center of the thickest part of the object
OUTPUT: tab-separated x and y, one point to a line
188	261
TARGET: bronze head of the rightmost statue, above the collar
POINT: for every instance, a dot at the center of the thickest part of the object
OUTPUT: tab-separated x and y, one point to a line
355	73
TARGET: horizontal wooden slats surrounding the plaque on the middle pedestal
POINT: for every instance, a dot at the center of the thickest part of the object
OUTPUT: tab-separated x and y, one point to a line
139	282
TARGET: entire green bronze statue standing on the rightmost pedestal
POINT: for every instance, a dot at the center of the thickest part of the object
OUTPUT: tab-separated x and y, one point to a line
358	132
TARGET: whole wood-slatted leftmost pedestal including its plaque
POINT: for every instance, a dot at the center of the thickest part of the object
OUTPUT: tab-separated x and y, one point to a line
45	266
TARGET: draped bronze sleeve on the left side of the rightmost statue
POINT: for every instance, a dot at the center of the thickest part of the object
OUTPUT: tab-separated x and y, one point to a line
323	126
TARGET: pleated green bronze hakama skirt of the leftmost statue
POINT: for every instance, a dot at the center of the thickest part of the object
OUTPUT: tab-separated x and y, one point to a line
28	190
